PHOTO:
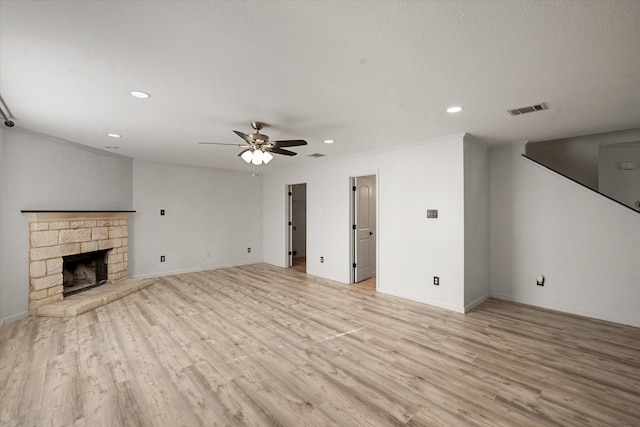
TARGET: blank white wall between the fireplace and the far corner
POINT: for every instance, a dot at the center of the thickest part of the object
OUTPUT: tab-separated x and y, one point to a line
211	217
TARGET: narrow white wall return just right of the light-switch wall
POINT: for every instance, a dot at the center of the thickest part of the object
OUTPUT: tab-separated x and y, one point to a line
476	222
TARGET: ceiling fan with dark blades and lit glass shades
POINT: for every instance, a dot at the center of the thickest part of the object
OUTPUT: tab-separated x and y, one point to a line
258	148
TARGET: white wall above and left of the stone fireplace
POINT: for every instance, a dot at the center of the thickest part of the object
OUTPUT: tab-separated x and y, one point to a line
42	172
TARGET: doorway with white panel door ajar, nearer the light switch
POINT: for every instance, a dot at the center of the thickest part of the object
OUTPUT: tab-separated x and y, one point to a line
363	230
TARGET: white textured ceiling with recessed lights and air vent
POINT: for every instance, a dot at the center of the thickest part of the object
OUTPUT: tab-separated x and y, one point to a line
369	75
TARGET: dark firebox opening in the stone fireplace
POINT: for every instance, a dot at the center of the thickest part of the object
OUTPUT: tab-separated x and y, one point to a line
83	271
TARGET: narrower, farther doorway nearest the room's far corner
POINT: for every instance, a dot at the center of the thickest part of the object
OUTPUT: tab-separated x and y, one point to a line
297	226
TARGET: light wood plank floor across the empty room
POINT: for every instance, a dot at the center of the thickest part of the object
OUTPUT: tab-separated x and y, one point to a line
260	345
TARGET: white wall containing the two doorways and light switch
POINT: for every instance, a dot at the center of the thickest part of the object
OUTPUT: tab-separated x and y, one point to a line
411	248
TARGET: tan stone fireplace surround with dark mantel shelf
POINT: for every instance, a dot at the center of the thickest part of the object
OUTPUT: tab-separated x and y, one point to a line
58	236
